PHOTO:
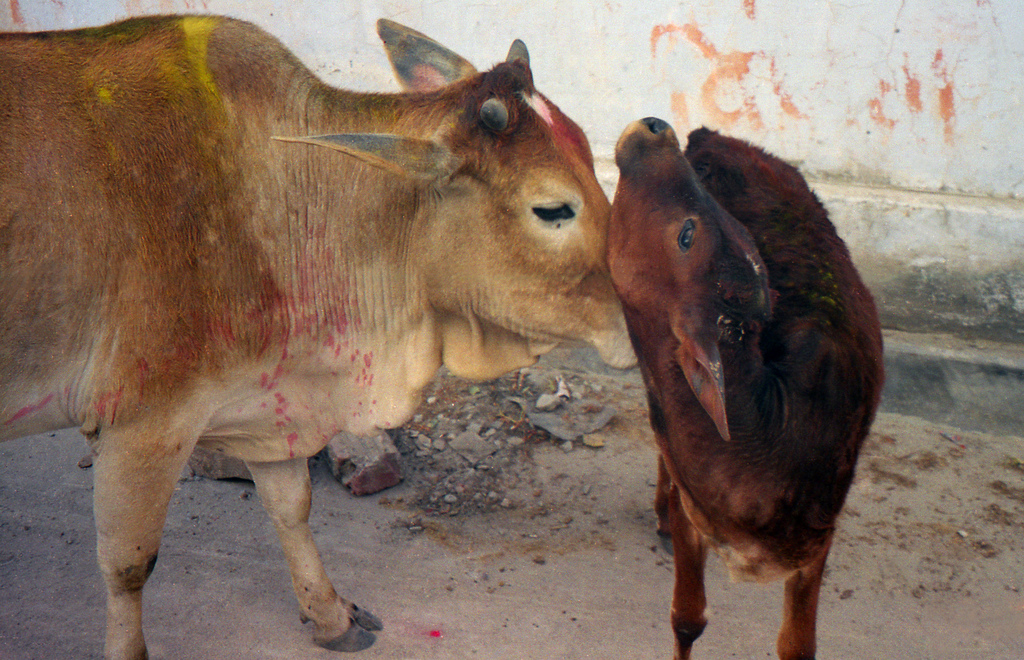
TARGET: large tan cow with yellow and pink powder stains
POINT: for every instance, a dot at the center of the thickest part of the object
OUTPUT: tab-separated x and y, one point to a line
172	274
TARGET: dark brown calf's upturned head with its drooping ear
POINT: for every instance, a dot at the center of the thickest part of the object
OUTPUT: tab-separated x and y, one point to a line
690	275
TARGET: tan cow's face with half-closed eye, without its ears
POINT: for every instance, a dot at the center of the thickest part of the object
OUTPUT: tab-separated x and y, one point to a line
517	243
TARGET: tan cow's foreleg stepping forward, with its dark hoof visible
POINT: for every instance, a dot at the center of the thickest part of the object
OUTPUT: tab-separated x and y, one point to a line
284	488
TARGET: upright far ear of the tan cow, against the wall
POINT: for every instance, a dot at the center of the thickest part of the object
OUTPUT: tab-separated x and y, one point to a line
421	64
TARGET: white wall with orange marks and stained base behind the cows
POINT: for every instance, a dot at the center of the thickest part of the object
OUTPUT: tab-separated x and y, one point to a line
907	116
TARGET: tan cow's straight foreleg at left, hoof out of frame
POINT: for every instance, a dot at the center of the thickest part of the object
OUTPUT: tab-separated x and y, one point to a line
133	485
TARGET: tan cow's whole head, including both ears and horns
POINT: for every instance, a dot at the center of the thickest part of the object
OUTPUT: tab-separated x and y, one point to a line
509	240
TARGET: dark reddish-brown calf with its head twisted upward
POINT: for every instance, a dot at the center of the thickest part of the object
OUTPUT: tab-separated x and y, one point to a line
762	356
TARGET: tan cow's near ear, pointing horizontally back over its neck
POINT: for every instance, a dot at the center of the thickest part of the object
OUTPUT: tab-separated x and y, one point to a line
404	156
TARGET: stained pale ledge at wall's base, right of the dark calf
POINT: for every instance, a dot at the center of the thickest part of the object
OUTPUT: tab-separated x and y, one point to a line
937	262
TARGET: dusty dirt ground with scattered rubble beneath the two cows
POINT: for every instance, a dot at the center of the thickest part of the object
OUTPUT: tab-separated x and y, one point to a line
505	542
